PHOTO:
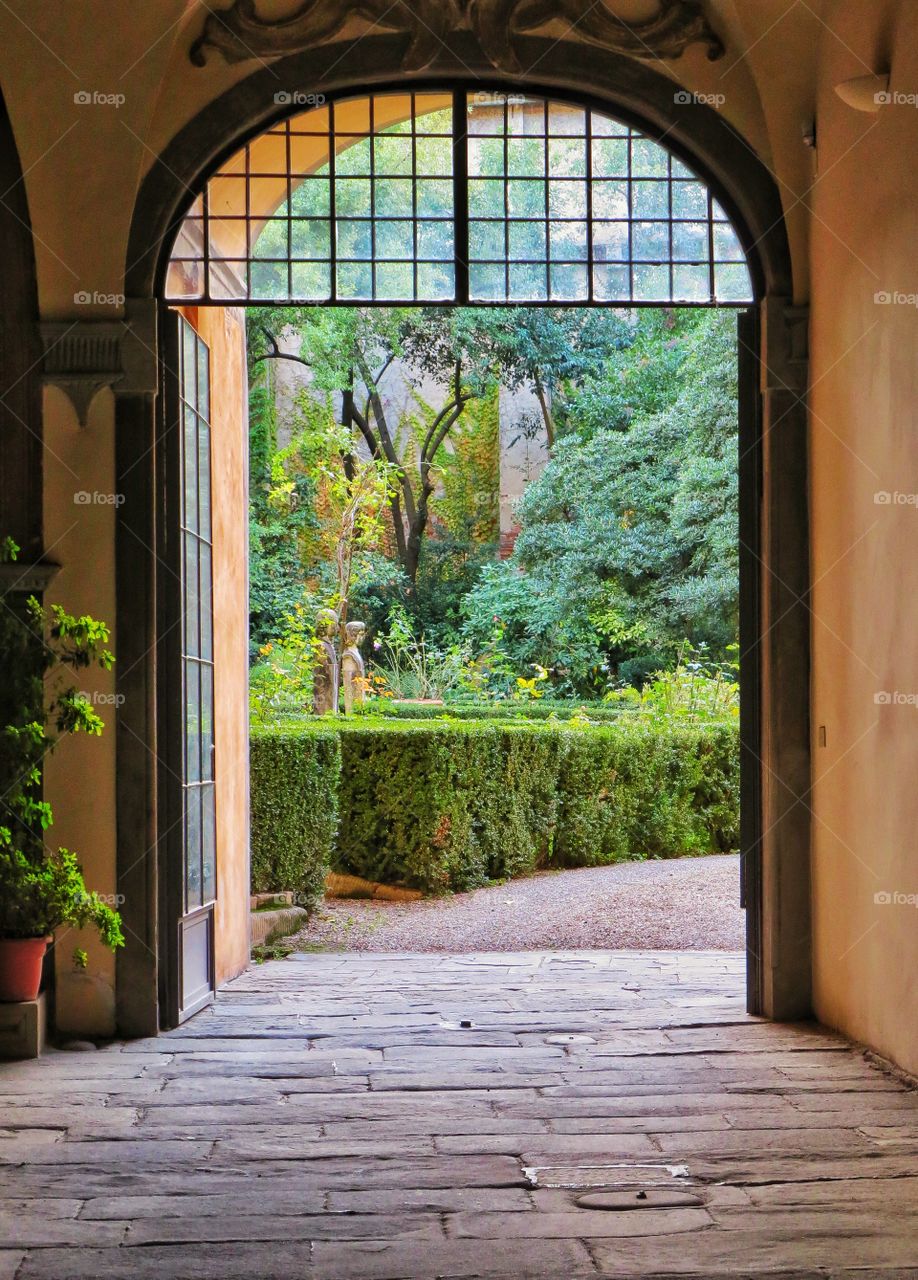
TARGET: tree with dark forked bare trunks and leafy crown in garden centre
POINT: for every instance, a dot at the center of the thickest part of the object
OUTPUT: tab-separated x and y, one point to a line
468	351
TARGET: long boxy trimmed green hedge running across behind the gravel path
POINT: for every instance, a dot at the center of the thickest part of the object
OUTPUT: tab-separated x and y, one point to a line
441	806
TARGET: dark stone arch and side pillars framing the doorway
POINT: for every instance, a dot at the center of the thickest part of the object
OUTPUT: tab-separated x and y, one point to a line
777	771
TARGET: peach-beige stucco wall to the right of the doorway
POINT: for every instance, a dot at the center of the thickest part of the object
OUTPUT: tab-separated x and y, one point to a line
865	442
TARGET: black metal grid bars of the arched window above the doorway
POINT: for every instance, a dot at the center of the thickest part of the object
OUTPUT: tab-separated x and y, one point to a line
462	216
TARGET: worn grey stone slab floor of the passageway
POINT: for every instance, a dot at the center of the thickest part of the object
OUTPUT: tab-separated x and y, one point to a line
546	1116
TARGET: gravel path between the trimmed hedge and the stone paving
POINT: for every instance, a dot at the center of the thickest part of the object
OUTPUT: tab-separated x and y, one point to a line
679	904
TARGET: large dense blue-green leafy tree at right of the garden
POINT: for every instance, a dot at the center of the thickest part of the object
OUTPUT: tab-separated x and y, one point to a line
629	538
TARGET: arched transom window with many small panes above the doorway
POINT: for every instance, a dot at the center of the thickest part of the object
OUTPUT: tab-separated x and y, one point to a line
456	198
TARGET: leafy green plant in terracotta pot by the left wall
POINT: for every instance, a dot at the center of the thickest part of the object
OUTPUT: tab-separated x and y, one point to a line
42	888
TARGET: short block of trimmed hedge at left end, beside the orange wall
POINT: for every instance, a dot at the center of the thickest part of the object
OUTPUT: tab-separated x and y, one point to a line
295	776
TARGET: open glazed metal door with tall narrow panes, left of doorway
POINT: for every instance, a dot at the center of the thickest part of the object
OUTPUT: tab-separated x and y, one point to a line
190	886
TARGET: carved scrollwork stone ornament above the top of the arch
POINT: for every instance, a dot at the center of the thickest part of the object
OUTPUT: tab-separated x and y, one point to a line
240	34
